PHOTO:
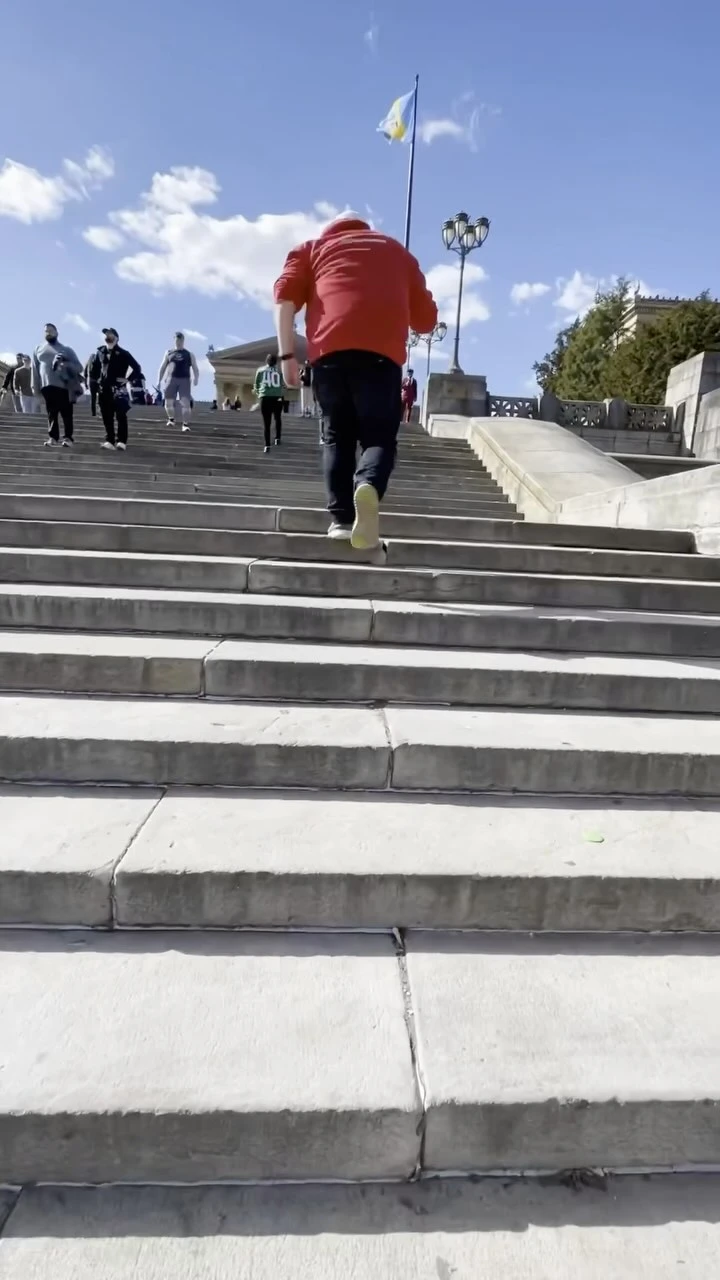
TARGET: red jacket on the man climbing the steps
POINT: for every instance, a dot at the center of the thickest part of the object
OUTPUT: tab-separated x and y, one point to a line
363	292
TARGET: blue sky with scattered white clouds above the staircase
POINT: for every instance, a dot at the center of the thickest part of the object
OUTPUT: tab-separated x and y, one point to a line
160	159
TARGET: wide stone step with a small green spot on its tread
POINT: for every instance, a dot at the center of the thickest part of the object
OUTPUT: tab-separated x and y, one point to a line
229	860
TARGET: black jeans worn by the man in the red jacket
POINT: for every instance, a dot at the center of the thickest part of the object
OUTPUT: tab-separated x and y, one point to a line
359	395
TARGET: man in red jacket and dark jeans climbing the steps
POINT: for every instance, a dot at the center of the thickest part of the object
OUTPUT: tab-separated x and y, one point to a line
363	291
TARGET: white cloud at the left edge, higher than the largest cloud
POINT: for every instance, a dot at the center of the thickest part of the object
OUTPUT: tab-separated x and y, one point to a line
30	196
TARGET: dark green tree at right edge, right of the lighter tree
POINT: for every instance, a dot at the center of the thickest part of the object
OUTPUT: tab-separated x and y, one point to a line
639	369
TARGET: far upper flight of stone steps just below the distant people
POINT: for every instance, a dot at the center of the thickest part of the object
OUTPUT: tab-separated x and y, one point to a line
222	458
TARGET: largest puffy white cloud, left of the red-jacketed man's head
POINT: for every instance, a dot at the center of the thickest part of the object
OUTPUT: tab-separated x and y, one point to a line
183	246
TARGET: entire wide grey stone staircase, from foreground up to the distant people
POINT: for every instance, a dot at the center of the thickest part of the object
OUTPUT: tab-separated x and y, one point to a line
332	872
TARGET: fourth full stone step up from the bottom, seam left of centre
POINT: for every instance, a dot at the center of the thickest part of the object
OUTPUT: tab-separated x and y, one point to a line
248	670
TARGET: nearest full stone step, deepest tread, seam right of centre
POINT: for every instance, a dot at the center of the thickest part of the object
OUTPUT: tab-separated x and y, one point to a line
534	1054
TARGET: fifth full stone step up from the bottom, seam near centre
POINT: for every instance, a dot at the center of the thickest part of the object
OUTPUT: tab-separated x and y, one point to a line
472	627
